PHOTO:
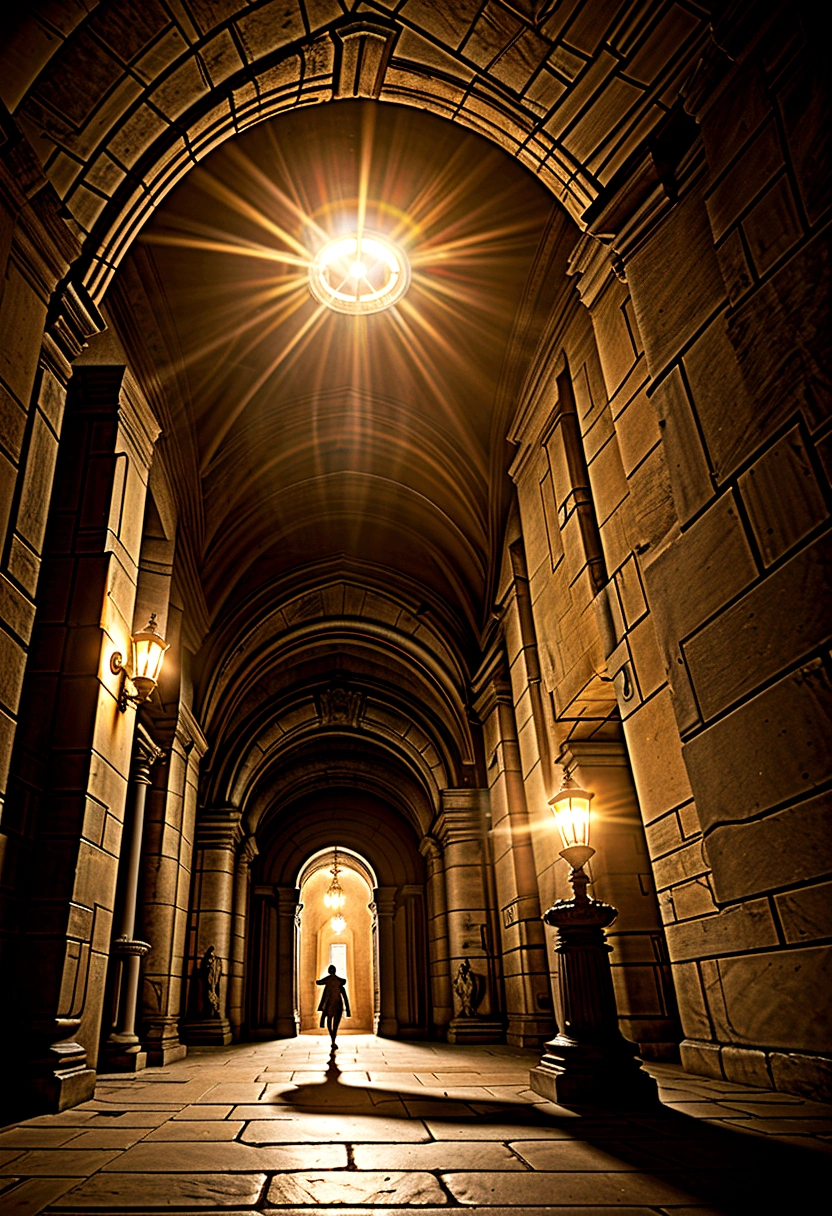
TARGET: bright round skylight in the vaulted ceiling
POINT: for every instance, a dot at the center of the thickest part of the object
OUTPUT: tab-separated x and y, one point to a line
359	275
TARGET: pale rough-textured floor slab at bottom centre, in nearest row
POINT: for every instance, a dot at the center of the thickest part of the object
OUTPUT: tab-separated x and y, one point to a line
370	1187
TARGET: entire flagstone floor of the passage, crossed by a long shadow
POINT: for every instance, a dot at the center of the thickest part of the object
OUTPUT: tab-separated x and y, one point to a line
387	1125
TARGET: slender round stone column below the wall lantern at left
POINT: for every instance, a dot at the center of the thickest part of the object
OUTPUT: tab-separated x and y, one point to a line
123	1045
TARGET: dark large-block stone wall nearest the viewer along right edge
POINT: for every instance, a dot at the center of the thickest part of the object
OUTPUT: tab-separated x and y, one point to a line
728	296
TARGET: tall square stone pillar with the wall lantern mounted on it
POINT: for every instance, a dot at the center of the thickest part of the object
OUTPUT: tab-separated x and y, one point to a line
72	763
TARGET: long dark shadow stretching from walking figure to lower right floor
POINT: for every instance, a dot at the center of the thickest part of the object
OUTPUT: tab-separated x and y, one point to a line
734	1173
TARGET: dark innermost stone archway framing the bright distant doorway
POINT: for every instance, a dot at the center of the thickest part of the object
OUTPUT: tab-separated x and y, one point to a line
384	851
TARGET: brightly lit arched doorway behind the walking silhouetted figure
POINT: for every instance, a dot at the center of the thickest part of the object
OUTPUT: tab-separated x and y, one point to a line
342	938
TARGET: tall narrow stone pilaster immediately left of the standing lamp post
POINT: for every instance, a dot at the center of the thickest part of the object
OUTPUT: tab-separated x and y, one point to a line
529	992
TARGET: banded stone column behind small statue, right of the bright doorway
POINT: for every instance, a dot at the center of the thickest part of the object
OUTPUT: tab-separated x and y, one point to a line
460	829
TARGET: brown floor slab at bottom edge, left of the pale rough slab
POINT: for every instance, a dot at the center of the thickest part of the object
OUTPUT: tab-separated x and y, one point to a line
116	1192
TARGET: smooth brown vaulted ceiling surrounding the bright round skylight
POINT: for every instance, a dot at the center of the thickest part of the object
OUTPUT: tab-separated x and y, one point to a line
321	437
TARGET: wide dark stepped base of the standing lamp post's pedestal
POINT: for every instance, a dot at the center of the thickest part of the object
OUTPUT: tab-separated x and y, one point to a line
601	1074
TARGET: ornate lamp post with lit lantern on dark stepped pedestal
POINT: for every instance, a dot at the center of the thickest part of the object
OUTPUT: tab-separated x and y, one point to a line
589	1061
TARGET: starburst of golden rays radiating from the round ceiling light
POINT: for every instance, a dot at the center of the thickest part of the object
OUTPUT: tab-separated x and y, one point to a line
352	272
